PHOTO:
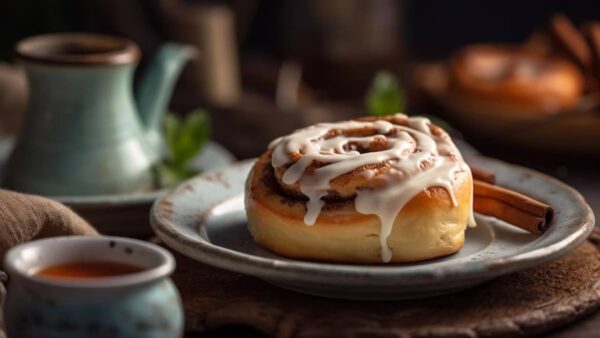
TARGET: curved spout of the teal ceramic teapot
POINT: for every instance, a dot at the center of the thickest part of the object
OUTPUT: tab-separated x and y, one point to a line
156	87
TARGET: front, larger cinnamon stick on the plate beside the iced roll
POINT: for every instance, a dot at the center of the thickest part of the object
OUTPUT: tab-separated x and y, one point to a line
512	207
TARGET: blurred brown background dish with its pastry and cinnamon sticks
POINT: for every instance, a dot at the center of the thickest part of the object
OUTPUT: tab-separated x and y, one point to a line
544	92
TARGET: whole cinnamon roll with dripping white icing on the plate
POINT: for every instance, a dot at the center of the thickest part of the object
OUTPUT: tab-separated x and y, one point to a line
371	190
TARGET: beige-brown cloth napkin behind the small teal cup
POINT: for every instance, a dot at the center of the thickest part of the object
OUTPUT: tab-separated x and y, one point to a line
26	217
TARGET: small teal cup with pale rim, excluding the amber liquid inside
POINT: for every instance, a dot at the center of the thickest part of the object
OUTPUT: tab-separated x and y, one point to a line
145	304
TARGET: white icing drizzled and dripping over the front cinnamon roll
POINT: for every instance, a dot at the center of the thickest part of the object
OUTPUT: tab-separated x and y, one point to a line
418	160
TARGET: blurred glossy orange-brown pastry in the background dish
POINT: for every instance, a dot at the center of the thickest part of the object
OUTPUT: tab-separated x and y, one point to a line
503	79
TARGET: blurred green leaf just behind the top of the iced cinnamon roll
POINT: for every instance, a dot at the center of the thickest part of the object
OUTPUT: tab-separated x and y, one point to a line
385	95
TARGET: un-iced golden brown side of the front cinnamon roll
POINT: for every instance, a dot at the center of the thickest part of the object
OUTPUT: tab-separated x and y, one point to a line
428	226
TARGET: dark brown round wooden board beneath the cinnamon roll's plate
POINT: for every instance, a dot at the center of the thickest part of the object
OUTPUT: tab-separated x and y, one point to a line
525	303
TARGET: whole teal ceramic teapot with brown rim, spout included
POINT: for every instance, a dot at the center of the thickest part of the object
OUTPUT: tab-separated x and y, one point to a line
84	132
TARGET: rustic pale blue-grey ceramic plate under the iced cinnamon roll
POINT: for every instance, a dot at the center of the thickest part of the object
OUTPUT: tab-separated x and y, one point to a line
204	218
